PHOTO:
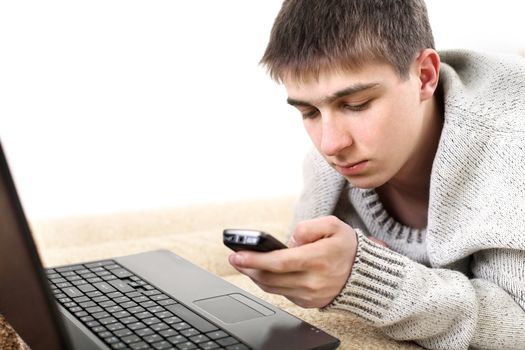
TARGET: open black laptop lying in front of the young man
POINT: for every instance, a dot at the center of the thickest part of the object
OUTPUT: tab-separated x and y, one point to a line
152	300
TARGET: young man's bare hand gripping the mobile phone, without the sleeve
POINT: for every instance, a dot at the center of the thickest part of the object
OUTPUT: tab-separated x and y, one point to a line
315	268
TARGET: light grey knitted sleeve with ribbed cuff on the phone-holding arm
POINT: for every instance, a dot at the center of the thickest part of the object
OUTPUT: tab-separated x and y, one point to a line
438	308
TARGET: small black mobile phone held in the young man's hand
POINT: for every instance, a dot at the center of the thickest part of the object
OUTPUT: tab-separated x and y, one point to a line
245	239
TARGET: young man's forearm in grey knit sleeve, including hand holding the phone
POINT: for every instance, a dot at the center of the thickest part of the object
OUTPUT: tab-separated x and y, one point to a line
438	308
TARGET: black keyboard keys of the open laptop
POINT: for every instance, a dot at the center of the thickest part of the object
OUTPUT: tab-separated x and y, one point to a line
126	312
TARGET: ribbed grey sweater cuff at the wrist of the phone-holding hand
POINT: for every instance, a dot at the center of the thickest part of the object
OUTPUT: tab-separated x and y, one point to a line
374	281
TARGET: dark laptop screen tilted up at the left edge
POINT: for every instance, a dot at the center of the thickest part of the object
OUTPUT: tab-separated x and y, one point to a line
25	299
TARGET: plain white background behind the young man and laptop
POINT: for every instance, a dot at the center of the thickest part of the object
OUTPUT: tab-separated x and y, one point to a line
131	105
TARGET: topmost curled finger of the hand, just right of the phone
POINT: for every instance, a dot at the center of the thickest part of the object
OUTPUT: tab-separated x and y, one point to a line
309	231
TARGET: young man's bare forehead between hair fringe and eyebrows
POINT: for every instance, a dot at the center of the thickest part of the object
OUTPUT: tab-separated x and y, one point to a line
330	81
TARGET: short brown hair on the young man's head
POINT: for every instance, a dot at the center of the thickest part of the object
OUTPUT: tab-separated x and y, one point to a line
312	35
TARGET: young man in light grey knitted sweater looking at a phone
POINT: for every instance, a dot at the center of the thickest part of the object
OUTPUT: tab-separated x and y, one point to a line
413	210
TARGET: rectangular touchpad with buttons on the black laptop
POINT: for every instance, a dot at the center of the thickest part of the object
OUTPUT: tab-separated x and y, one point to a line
233	308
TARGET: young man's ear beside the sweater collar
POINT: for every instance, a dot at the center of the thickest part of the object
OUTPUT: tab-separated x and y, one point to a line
427	69
